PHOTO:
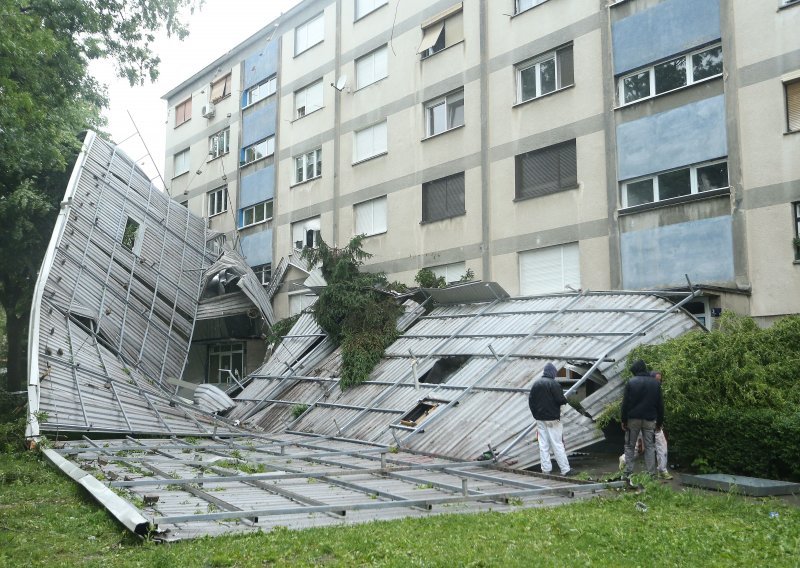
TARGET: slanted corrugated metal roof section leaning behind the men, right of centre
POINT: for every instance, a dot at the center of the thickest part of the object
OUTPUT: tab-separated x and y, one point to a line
507	343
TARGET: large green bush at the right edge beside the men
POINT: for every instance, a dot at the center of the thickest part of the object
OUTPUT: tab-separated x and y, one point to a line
731	396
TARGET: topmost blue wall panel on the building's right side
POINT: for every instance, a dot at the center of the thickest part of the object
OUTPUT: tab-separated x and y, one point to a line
669	28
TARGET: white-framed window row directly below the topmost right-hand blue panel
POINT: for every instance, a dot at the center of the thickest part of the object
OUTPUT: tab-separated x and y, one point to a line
670	75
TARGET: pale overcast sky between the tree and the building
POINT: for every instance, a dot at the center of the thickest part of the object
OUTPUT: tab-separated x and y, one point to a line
220	26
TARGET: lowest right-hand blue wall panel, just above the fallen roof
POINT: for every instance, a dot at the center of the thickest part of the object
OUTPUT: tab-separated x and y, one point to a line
660	257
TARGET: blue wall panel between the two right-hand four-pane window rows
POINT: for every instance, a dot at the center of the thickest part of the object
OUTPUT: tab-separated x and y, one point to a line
686	135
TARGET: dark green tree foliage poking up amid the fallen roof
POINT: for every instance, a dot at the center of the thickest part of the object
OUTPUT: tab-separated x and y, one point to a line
353	309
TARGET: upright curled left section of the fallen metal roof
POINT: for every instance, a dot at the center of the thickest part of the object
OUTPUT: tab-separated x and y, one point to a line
116	301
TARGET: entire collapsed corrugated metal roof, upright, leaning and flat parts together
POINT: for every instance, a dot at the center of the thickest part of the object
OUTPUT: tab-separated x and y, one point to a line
129	273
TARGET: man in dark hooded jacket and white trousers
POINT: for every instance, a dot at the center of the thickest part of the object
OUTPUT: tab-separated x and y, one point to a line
545	402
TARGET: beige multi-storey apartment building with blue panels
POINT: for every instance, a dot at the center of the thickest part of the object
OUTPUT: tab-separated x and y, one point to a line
541	144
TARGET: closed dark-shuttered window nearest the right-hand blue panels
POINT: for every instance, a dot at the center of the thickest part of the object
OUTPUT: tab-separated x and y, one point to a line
548	170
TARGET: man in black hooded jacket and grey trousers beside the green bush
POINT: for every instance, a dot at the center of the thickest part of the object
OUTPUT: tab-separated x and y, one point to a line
642	411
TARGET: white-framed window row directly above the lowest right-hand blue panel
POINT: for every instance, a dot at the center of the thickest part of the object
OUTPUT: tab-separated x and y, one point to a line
675	183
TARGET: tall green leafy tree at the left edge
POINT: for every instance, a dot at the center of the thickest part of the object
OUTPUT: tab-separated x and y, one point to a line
47	98
